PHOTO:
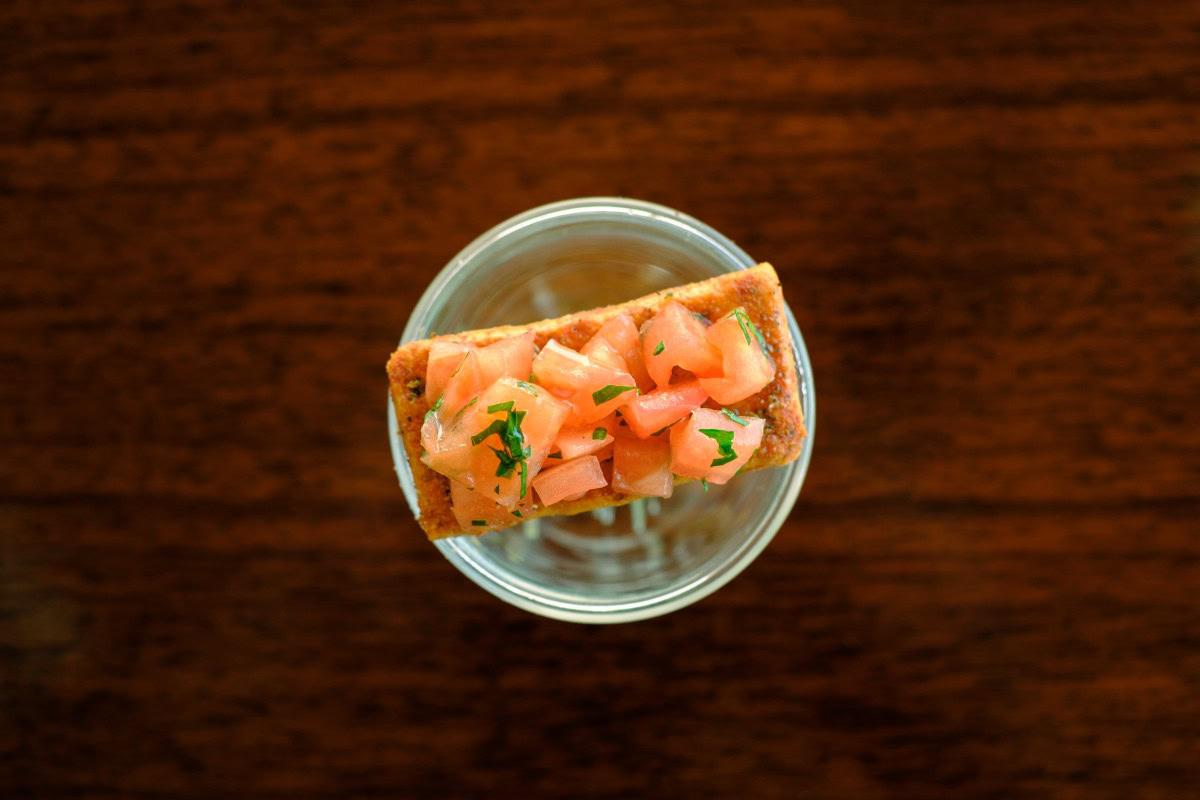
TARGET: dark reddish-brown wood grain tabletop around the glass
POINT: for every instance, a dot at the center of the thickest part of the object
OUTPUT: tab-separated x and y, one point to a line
215	219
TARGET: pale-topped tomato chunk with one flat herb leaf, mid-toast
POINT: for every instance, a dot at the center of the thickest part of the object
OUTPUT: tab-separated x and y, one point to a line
593	390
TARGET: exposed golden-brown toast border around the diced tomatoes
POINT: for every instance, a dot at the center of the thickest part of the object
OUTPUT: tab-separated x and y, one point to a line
755	290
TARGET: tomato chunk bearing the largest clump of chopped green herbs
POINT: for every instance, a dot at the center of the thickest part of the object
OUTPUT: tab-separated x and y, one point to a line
543	417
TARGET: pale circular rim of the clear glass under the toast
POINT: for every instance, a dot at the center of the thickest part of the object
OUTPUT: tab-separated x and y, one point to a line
725	564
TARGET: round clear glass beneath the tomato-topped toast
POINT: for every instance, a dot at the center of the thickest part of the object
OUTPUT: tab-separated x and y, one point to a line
651	557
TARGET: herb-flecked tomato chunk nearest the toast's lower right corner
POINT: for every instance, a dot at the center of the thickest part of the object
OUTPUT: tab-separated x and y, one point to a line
693	452
